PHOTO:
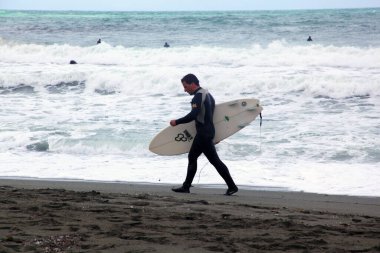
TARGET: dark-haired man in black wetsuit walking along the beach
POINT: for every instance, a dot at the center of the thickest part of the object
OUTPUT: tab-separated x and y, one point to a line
202	111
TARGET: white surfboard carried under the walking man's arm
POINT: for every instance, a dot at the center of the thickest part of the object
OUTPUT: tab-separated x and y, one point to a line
229	118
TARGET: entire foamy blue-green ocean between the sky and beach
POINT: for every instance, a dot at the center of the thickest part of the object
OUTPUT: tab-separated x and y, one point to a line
94	120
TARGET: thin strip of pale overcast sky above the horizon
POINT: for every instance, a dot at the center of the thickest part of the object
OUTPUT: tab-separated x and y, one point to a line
189	5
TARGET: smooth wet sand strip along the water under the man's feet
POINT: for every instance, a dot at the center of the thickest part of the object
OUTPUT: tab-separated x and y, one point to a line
363	205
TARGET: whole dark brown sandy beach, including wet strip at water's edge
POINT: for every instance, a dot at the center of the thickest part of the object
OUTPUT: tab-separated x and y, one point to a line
65	216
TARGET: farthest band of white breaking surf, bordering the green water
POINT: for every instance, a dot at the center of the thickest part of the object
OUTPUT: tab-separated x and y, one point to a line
275	54
